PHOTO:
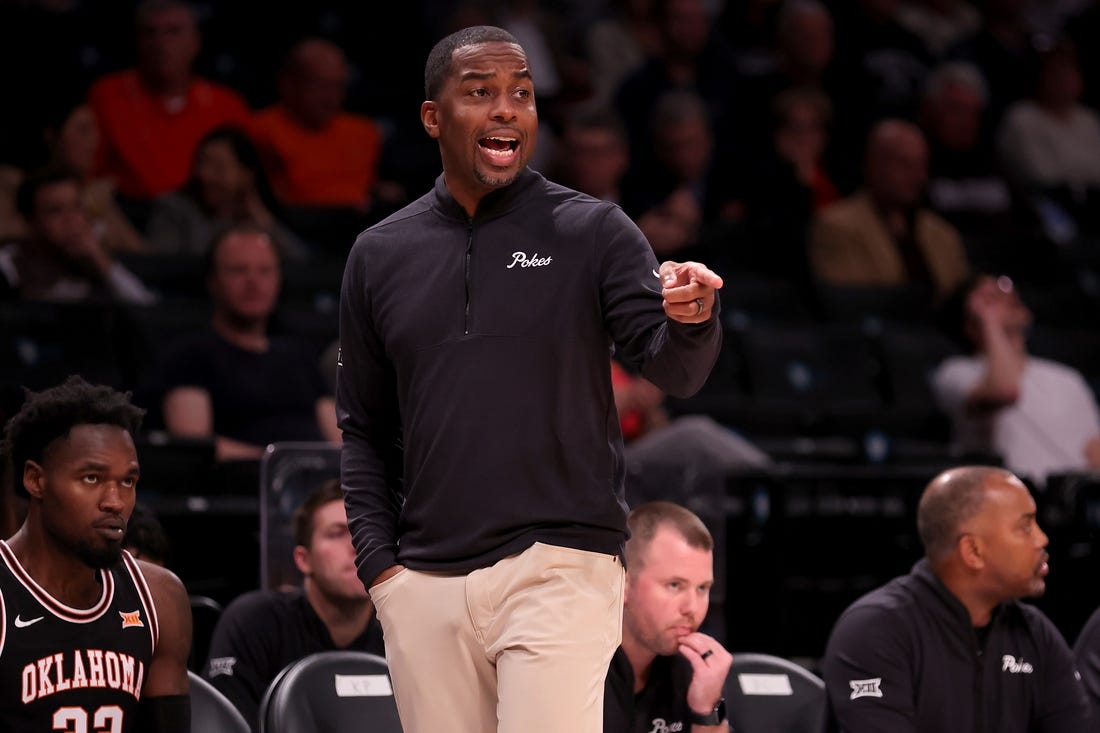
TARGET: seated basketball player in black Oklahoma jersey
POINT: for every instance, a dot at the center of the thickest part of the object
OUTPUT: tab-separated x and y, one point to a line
92	641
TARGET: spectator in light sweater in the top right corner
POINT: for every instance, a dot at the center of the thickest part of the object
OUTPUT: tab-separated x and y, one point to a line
1051	143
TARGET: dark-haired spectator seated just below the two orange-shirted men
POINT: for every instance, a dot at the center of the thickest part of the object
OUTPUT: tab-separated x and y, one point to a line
227	185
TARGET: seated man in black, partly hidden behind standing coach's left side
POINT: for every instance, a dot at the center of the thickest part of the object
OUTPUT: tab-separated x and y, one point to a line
262	632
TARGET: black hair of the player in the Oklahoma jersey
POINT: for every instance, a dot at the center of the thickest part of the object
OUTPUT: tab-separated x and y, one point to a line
49	415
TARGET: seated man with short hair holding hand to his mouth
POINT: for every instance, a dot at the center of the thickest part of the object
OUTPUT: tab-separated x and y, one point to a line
667	675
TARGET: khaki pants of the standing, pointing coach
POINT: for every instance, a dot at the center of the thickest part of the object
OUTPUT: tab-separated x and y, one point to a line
520	648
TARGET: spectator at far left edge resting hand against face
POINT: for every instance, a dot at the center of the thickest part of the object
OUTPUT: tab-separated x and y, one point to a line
63	258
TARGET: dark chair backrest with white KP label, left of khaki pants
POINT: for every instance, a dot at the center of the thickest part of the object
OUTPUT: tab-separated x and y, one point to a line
340	691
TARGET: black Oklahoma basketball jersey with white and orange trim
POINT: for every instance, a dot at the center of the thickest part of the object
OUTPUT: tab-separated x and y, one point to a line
78	671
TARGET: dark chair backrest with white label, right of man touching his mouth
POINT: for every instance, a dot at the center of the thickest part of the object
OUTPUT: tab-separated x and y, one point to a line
772	695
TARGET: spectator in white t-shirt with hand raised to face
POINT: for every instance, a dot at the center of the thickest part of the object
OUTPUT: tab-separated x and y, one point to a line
1039	415
